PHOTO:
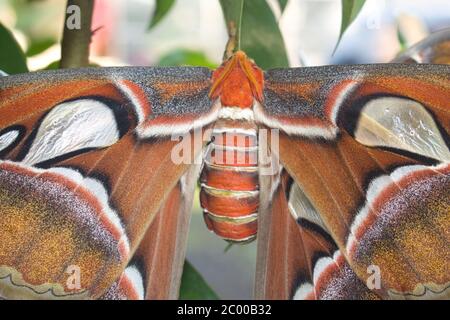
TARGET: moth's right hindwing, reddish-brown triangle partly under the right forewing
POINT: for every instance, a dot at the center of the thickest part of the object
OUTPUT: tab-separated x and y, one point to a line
297	257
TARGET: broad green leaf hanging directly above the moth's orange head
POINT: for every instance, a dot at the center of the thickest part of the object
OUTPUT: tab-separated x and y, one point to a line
256	31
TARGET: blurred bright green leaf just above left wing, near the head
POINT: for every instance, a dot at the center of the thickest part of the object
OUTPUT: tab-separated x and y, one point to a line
185	57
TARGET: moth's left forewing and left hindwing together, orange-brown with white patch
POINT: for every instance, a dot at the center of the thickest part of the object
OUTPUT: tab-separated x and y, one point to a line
88	160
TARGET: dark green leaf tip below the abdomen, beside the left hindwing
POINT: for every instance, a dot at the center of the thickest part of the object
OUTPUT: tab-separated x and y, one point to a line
193	286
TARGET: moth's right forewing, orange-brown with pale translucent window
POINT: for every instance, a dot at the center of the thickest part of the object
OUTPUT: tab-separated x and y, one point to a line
369	147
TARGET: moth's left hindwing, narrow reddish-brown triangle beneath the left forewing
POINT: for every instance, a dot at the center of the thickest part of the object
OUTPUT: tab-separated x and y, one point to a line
155	270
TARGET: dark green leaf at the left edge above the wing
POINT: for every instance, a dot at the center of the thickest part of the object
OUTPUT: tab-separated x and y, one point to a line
12	58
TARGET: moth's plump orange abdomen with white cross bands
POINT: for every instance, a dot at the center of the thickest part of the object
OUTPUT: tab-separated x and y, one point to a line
229	192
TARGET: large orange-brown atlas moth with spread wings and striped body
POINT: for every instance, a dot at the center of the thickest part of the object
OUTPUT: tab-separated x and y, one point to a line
361	181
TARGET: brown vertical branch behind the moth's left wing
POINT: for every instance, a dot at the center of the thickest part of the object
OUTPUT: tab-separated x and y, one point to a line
77	34
